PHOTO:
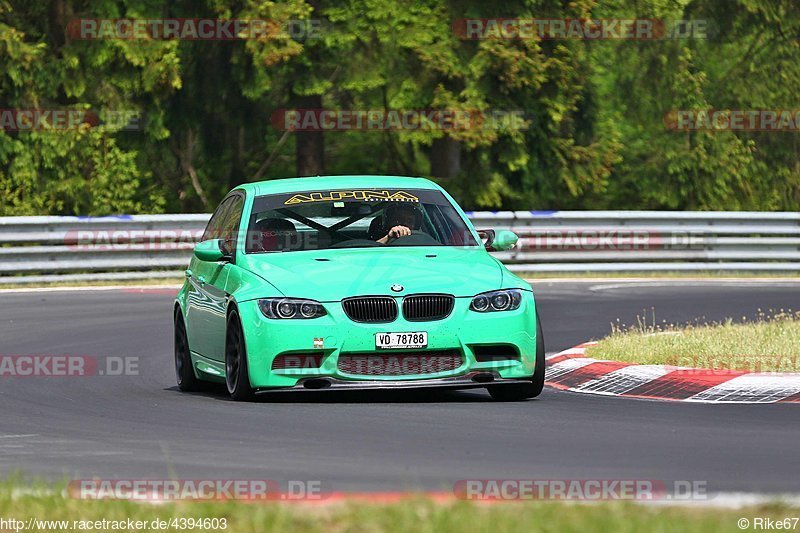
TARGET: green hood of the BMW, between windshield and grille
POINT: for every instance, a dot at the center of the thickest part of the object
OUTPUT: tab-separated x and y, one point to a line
330	275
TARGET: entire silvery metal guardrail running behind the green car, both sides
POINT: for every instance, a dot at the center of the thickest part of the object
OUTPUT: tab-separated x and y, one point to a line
40	249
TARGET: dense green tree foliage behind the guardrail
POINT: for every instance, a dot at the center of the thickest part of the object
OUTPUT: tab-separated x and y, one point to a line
593	136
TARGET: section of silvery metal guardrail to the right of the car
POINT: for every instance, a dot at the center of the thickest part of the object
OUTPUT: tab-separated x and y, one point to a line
614	241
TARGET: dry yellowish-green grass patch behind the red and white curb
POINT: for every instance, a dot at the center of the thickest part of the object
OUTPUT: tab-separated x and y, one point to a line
771	343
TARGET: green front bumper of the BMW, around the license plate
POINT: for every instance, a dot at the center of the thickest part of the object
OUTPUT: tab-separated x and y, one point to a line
335	334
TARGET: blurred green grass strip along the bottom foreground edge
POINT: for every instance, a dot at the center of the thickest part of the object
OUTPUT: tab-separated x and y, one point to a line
417	514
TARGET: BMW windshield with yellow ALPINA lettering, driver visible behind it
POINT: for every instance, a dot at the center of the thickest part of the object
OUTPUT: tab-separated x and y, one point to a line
330	219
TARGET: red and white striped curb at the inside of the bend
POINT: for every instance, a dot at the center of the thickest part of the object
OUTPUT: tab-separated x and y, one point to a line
571	370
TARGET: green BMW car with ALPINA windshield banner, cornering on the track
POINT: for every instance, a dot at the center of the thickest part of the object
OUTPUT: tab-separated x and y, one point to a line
353	282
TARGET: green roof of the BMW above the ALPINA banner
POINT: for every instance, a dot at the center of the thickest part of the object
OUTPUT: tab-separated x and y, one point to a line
315	183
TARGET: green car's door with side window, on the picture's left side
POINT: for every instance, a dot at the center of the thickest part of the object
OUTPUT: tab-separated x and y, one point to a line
207	298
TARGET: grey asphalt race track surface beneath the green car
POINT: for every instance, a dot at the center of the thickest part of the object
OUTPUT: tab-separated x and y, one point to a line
141	427
